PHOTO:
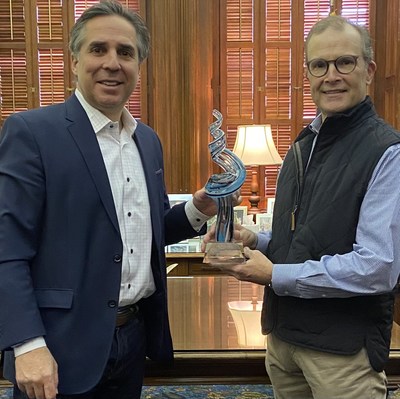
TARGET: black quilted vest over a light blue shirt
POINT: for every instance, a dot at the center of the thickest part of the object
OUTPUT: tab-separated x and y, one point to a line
315	214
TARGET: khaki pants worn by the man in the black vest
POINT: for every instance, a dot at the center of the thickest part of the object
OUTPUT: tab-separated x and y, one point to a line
299	373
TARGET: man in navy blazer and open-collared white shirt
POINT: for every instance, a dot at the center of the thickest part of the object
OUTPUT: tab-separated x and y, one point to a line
84	219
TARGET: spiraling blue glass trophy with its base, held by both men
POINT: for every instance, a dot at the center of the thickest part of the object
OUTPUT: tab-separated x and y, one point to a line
221	187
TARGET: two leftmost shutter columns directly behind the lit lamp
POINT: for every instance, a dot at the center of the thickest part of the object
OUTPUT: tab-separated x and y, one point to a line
256	66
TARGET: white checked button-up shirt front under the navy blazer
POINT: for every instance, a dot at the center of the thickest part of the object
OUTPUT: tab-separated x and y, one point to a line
128	185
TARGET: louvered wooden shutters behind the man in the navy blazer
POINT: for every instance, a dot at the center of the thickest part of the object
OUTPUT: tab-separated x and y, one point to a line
34	56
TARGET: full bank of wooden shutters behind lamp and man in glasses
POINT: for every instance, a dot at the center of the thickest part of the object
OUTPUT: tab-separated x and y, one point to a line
262	53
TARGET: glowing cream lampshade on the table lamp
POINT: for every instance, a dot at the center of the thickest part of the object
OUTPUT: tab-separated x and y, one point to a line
254	145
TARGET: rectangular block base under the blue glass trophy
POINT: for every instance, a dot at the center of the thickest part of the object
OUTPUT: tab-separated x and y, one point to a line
224	253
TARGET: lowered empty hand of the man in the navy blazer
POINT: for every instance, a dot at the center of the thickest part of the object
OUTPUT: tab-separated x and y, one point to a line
36	374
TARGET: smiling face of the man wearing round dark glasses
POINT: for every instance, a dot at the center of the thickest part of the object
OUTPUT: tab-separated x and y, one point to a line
336	92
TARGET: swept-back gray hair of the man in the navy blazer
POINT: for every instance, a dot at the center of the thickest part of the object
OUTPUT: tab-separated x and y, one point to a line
110	8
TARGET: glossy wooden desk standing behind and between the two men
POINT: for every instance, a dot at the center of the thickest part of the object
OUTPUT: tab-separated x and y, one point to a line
202	354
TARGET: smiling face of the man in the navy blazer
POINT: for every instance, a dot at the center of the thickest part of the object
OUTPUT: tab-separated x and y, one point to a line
107	67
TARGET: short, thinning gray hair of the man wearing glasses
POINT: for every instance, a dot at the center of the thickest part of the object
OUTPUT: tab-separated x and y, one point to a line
339	23
